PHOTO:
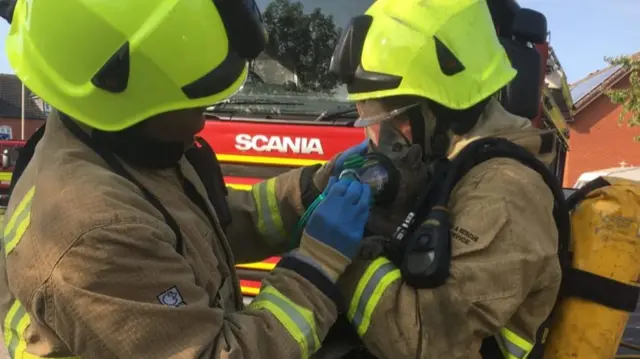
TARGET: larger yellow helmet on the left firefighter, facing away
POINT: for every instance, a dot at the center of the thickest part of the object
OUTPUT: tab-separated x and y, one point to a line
112	64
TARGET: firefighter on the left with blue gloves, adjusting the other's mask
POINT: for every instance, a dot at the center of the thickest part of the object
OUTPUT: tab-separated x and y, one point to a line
114	244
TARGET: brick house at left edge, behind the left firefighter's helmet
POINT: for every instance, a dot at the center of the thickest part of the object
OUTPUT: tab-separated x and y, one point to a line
11	112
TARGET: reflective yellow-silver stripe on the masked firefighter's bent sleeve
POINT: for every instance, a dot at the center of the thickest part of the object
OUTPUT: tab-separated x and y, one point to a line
374	282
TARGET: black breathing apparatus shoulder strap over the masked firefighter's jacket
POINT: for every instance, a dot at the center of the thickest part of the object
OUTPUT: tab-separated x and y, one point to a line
429	221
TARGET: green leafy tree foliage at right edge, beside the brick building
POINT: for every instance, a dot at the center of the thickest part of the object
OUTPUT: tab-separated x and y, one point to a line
628	98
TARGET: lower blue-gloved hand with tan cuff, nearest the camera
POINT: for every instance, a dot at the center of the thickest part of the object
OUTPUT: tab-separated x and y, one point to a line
337	223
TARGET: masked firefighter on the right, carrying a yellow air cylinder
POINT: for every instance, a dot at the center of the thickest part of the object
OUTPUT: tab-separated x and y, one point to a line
424	75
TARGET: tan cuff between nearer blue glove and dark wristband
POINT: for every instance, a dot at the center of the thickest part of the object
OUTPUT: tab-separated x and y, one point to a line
332	262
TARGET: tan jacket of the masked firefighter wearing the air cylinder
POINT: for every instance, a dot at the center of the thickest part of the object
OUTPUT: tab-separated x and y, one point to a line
505	273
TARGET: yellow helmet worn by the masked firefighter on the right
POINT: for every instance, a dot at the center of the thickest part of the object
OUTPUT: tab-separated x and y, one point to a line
443	50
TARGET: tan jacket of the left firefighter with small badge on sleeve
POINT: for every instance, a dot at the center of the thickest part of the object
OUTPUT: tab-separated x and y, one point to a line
89	267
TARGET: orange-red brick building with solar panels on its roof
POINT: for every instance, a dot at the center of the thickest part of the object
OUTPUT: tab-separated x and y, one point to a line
597	140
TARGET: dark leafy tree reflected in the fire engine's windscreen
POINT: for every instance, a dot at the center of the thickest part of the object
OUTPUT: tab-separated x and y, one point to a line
306	41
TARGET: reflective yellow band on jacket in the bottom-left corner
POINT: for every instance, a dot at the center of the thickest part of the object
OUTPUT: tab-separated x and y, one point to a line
15	324
